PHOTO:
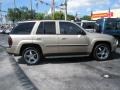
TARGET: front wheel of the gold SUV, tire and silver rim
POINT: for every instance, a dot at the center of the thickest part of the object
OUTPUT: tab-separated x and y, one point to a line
101	52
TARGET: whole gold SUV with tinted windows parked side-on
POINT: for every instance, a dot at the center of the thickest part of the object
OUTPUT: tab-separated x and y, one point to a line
34	40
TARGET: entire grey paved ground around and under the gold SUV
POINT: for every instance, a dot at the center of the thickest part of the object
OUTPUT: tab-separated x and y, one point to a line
60	73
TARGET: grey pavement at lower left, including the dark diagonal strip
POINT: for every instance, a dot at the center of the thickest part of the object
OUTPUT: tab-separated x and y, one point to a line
11	75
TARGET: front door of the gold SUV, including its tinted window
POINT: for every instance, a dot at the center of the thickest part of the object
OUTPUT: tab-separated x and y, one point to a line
71	39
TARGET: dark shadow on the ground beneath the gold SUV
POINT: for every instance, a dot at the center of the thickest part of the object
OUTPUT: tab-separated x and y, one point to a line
71	60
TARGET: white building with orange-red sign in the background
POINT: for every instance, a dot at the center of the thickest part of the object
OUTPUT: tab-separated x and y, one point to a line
110	13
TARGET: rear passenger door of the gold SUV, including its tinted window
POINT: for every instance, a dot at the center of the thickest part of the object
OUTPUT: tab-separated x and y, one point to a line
46	37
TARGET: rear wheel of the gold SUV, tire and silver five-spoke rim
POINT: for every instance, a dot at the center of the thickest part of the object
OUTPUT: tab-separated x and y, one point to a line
31	56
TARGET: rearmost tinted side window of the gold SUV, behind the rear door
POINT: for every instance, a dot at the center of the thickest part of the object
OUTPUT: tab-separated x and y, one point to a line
23	28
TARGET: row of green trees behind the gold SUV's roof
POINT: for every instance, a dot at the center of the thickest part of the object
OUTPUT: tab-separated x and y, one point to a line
23	13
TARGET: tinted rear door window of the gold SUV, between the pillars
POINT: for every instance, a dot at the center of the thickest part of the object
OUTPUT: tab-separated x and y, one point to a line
46	28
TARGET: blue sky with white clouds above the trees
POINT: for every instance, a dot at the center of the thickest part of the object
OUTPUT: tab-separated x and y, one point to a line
81	7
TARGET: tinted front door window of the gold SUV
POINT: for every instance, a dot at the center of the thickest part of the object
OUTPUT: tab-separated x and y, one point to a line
69	28
